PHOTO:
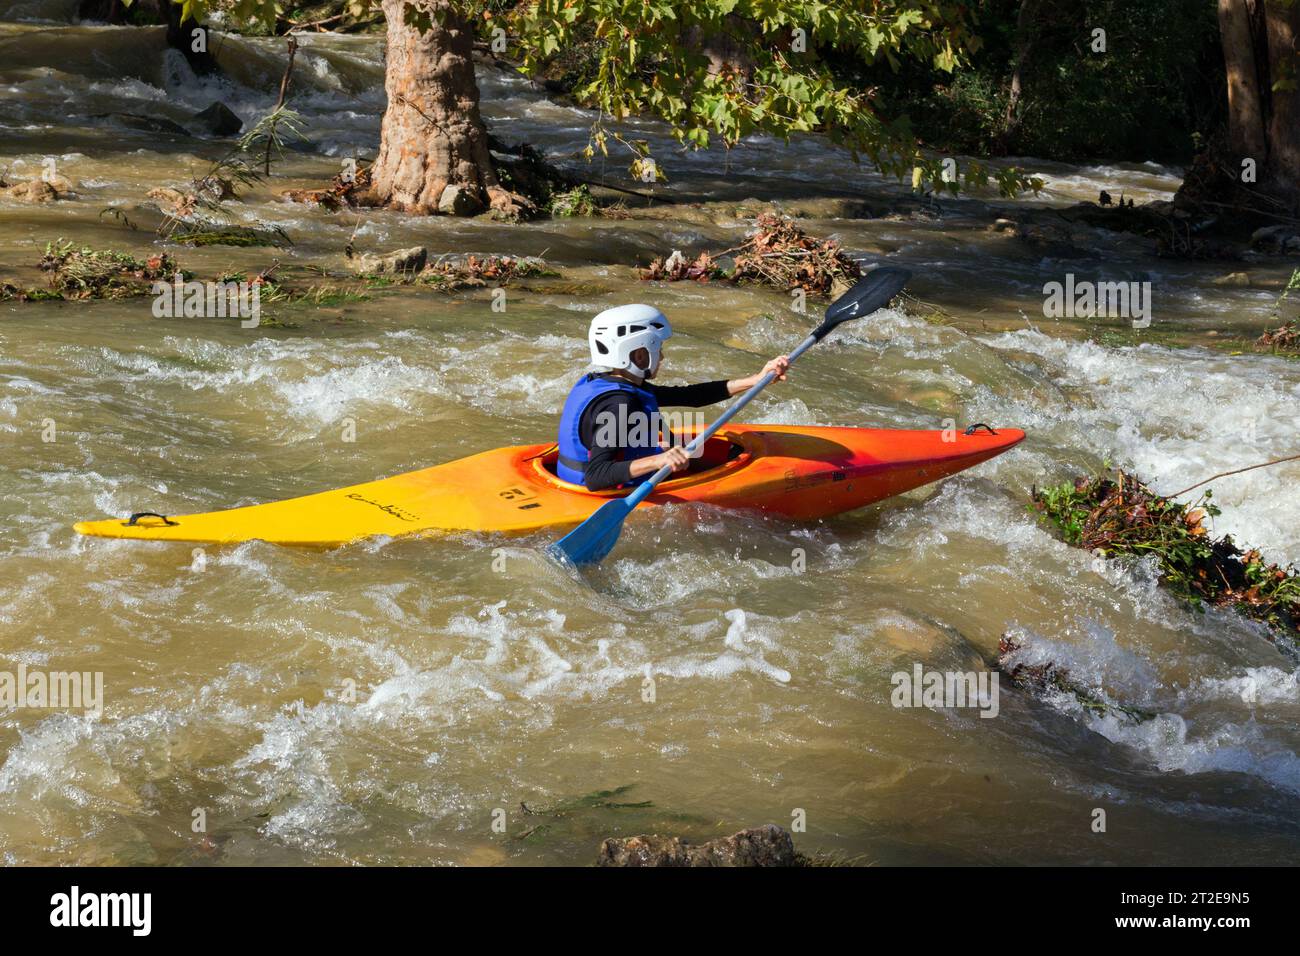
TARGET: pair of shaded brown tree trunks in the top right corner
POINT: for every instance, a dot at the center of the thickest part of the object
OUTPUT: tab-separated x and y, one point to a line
1264	120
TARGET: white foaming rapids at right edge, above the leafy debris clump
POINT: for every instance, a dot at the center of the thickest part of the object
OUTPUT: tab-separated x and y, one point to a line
1177	417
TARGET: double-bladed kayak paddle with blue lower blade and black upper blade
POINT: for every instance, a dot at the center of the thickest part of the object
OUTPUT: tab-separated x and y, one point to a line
596	538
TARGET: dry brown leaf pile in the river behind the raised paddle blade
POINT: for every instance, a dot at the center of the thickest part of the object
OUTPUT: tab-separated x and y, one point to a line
779	256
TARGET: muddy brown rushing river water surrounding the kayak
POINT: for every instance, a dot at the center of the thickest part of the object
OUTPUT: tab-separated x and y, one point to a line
488	680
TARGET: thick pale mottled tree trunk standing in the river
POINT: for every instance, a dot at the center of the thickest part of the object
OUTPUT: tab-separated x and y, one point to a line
434	145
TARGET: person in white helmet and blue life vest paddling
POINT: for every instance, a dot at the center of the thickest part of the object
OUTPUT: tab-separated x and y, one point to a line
610	430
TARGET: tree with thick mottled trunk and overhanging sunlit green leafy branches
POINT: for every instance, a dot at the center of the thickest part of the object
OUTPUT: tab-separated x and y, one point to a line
717	73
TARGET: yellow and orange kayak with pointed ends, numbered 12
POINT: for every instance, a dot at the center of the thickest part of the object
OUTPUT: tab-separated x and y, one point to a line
790	471
